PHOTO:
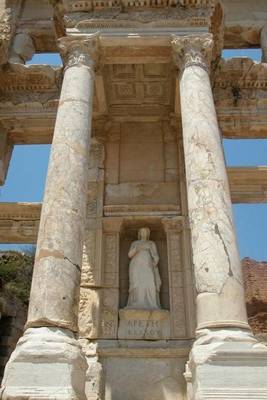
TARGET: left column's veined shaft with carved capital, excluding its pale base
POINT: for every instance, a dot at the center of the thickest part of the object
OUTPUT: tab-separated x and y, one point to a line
56	277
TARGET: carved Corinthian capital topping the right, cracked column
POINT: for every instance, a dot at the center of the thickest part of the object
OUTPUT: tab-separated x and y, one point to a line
192	50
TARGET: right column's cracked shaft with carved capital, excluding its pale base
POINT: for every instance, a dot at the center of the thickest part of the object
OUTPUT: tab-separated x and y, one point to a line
217	269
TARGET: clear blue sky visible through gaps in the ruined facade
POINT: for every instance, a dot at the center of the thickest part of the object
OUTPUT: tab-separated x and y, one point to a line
27	173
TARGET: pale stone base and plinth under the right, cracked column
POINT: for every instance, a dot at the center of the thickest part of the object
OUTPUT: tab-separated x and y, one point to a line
227	364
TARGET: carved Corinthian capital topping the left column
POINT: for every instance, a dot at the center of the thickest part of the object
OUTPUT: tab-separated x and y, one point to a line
79	50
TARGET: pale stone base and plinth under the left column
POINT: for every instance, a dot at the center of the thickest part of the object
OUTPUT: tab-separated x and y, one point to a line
47	364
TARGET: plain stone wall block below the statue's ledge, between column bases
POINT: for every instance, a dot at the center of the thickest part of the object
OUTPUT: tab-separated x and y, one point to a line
147	377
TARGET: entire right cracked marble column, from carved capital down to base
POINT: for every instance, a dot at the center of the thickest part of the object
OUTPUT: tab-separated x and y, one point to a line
223	359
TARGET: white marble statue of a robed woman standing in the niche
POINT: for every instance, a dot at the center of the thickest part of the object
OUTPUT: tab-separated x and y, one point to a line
144	278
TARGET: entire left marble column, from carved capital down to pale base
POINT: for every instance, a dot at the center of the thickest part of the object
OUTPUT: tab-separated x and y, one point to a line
48	361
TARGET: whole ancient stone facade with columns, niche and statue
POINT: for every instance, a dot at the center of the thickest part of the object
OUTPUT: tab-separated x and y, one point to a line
136	118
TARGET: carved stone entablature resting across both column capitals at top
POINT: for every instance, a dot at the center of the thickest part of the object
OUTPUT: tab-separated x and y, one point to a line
123	14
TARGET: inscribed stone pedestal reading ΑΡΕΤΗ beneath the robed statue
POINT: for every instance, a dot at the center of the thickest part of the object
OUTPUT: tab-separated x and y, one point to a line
144	324
